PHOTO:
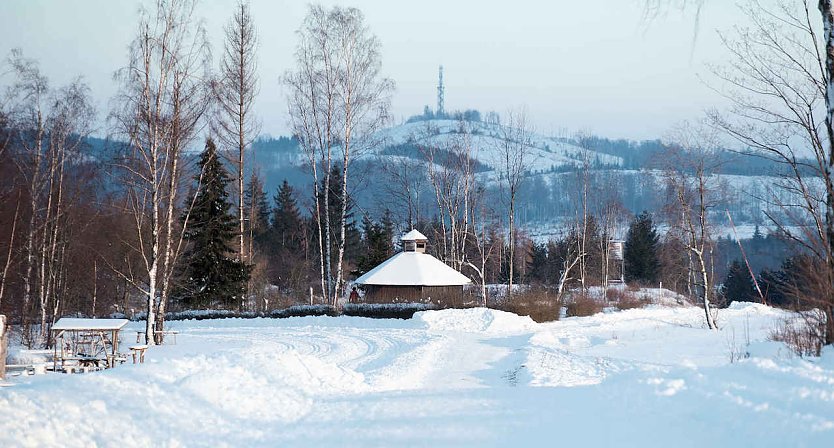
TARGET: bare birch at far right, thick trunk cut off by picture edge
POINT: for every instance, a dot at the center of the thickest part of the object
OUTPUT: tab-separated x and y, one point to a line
806	56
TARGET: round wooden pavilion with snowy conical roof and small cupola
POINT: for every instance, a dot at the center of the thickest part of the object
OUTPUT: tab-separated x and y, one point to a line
413	276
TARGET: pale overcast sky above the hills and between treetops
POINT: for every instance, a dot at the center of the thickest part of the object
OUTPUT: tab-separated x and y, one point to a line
590	66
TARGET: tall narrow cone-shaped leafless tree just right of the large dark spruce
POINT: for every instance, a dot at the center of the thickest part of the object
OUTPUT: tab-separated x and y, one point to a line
234	121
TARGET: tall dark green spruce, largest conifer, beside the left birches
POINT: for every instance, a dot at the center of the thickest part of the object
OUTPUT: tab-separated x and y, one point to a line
214	275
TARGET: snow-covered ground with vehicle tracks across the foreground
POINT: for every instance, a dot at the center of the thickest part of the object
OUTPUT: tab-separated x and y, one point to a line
475	377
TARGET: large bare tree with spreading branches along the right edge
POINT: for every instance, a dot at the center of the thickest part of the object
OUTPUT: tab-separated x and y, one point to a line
779	82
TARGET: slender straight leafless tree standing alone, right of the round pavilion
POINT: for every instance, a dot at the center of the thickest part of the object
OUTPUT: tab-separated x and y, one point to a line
515	151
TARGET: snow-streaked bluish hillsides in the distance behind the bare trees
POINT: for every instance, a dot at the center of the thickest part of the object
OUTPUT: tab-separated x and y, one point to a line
552	188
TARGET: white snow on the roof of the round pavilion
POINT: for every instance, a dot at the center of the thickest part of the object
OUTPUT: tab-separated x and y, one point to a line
413	269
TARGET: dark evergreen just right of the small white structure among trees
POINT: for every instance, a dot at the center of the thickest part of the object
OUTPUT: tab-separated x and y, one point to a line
640	251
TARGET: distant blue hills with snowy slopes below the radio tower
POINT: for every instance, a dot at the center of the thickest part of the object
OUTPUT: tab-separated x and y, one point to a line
631	170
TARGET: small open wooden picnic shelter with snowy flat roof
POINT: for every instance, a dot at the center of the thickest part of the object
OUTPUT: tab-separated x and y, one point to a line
86	343
